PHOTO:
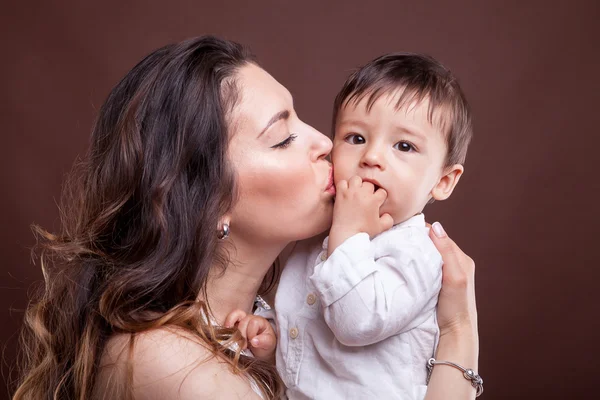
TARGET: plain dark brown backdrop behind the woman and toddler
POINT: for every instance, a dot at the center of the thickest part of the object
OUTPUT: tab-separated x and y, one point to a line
526	209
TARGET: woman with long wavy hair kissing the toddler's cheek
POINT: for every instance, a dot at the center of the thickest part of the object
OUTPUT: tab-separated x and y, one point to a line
195	144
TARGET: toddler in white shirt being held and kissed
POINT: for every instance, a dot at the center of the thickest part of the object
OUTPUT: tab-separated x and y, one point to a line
356	312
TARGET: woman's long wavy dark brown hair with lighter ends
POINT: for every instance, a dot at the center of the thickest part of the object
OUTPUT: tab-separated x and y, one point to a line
139	218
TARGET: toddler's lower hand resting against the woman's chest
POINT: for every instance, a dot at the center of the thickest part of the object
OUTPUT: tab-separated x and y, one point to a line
257	331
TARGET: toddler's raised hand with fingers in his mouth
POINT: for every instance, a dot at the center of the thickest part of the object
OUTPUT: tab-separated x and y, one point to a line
356	210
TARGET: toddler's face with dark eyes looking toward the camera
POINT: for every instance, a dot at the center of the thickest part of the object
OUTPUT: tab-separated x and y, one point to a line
398	150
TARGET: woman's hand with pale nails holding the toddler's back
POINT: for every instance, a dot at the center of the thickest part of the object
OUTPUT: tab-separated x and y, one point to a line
457	312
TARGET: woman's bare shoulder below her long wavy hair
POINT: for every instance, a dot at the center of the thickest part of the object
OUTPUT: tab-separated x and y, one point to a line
171	363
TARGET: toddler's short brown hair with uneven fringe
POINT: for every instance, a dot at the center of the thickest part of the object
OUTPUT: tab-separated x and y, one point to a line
420	78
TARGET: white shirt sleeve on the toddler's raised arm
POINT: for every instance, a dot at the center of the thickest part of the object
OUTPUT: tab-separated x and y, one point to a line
366	298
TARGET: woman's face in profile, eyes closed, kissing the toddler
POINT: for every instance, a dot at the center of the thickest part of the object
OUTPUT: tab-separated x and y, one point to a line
285	186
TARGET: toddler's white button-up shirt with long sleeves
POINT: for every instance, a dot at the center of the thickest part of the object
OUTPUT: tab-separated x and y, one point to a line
361	324
